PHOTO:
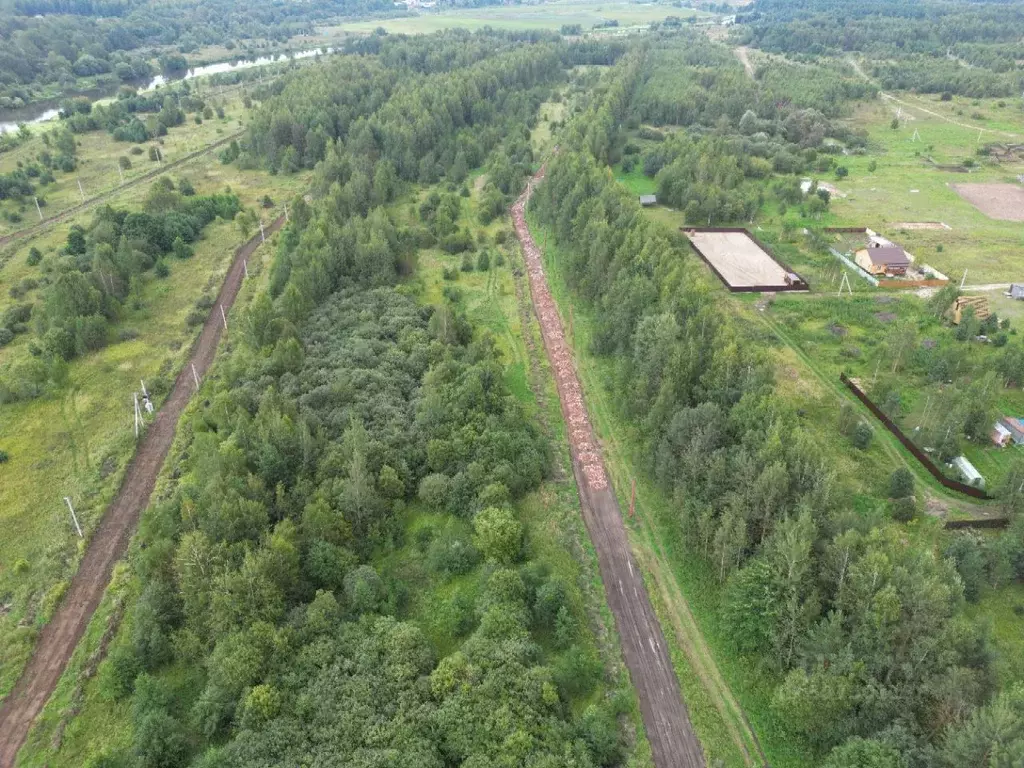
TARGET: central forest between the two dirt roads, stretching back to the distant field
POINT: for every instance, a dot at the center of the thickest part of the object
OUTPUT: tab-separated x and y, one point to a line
270	629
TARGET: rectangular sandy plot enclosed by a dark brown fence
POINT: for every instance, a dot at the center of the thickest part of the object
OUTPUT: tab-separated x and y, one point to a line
742	263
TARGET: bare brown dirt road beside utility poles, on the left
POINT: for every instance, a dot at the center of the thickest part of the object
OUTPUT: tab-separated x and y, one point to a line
110	541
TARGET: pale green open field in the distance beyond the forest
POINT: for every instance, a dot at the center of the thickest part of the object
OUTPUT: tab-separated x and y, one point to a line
551	16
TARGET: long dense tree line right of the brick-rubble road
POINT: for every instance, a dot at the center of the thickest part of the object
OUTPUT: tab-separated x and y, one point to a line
863	628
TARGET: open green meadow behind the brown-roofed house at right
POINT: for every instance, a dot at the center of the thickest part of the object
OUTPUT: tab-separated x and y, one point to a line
907	188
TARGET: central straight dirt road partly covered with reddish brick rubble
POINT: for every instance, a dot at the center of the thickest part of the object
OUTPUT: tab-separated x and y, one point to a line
673	743
